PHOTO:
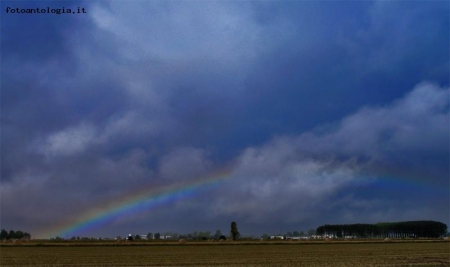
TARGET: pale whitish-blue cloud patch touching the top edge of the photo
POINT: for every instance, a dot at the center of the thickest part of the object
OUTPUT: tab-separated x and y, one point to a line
178	31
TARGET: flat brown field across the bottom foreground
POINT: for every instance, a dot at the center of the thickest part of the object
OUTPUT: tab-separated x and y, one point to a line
297	254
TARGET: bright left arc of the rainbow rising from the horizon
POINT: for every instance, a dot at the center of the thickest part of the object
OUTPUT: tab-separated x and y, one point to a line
131	203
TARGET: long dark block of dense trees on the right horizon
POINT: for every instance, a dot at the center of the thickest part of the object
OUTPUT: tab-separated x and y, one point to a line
411	229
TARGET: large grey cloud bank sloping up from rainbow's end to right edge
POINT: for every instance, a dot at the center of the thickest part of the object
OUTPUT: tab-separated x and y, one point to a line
299	177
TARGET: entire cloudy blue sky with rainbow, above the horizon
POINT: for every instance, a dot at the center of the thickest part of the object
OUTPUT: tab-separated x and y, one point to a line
183	116
